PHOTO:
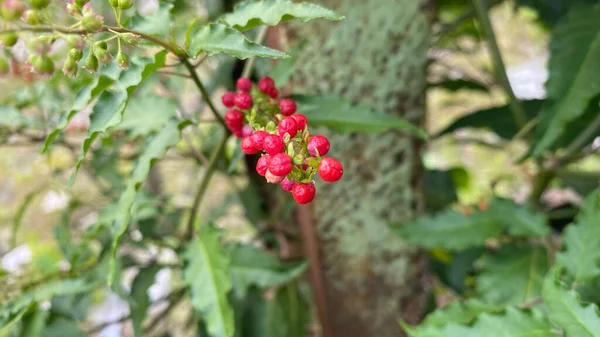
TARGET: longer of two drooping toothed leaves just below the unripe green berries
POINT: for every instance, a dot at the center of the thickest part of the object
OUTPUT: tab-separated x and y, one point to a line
108	110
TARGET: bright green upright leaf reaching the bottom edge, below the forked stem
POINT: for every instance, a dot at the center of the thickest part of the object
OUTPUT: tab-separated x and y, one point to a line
207	274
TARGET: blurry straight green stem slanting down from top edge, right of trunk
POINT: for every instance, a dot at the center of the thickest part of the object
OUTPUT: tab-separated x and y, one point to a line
516	108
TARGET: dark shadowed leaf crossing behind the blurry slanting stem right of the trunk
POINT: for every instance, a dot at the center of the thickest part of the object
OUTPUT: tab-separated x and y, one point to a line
496	119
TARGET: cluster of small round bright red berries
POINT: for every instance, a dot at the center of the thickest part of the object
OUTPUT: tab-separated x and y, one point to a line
290	154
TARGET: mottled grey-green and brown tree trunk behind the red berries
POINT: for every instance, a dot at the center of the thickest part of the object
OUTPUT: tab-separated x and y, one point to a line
376	56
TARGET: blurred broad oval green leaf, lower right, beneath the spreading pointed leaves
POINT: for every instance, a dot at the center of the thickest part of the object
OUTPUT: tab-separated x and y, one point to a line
514	275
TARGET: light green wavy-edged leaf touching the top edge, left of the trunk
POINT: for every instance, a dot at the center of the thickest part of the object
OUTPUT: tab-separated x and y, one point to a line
250	14
